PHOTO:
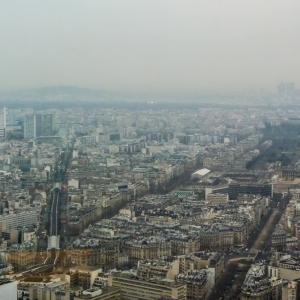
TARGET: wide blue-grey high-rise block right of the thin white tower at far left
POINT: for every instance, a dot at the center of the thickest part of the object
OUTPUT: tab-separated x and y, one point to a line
37	125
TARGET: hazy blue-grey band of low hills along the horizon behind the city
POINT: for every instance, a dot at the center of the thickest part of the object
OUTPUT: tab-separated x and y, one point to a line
71	97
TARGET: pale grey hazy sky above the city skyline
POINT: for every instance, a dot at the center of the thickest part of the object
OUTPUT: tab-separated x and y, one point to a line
147	45
